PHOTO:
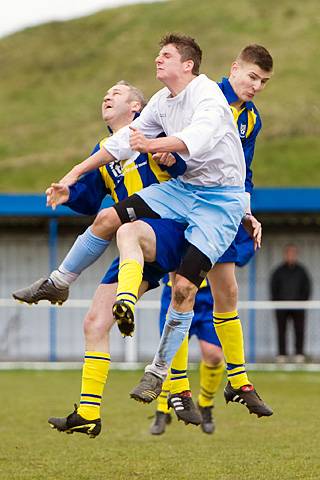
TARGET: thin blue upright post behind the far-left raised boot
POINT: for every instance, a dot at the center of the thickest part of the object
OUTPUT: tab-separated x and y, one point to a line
53	242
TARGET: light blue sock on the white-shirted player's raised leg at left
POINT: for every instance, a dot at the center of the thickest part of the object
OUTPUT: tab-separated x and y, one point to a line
84	252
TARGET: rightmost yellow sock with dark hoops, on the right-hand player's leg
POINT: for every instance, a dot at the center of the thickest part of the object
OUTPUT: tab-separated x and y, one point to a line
229	331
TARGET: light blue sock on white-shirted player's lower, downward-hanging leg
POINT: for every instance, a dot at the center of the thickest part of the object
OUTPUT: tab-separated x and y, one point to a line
176	328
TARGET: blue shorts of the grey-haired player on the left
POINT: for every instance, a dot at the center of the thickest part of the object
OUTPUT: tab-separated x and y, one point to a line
170	247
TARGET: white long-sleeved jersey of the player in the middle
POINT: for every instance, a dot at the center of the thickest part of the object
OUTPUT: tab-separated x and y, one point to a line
200	116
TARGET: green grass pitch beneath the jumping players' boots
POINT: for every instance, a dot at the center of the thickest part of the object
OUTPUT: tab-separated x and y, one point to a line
285	446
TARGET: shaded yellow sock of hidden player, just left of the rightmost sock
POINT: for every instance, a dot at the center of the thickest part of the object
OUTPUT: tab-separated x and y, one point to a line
210	379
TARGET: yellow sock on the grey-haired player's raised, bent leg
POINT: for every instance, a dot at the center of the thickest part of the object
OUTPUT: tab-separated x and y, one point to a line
129	281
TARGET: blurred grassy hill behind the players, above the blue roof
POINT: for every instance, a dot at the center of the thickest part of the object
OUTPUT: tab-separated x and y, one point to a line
54	76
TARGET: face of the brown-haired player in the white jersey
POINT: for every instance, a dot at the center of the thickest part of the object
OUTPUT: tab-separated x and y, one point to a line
168	64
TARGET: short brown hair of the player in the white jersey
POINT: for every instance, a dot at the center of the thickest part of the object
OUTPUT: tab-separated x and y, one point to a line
186	46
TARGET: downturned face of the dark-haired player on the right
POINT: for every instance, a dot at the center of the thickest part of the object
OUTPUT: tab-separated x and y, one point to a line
248	79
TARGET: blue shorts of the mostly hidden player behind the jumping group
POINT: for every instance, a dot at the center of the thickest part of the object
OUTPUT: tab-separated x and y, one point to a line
202	322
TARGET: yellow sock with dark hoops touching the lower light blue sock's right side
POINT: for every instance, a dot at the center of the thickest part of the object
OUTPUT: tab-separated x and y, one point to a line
178	371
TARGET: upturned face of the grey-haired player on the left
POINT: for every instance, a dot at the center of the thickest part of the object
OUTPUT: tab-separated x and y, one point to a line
116	103
